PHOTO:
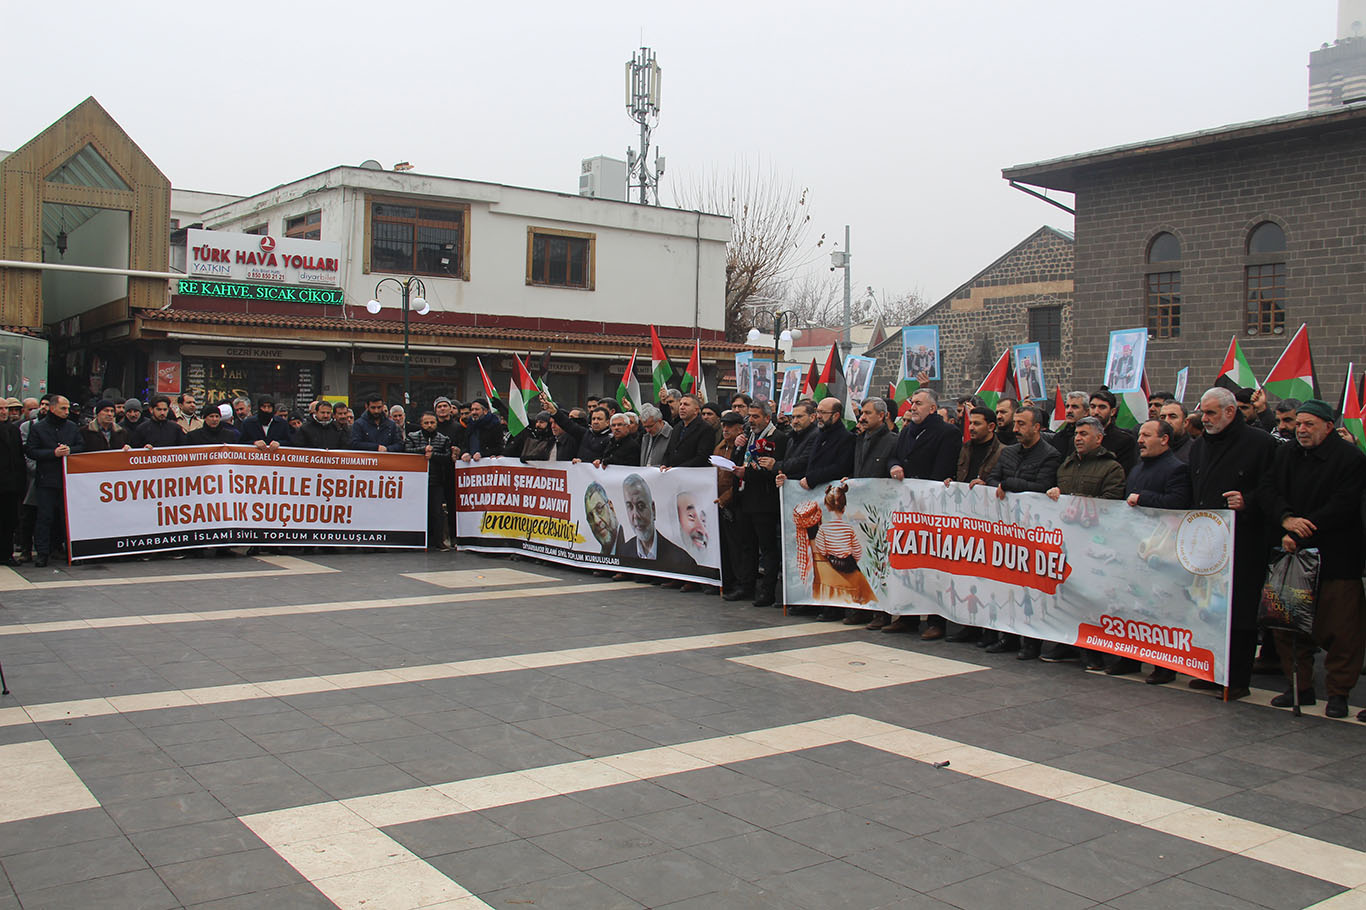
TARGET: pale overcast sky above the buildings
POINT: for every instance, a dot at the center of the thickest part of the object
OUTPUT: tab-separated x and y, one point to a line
897	117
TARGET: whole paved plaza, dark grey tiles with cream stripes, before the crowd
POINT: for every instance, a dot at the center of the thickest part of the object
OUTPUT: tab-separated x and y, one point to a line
389	732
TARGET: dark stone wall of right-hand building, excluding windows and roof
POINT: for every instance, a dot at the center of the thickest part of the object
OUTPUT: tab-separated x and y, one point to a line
1212	200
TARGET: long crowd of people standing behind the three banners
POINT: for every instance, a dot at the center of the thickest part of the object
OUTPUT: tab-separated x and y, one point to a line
1290	473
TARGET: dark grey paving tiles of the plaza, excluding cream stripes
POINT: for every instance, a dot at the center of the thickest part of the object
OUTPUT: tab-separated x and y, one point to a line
839	826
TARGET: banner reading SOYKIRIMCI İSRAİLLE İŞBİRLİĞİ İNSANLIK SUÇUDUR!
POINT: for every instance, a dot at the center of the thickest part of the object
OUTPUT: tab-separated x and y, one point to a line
148	501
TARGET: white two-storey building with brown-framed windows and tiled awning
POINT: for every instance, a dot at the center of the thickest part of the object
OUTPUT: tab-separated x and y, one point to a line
503	270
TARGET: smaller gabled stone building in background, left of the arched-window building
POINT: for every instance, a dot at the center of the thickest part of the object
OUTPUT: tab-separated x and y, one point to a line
1025	296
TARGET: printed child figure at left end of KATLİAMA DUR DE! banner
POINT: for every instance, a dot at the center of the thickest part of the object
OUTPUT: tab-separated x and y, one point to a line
828	550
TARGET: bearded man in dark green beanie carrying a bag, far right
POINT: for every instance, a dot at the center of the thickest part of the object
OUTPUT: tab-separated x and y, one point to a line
1313	498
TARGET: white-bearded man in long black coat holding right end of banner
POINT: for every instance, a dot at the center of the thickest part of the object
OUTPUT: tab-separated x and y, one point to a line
1229	464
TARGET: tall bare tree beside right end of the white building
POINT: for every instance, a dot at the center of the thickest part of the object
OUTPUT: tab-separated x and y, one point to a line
768	243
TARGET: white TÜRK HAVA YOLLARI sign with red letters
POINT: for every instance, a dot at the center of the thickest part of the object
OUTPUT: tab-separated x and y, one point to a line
260	258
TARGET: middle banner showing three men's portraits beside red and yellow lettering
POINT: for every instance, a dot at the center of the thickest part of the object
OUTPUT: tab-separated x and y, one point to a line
633	520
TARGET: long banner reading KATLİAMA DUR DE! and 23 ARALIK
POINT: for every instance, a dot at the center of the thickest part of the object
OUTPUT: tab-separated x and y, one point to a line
1140	583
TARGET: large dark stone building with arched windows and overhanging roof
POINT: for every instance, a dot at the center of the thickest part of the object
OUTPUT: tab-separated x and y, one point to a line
1245	230
